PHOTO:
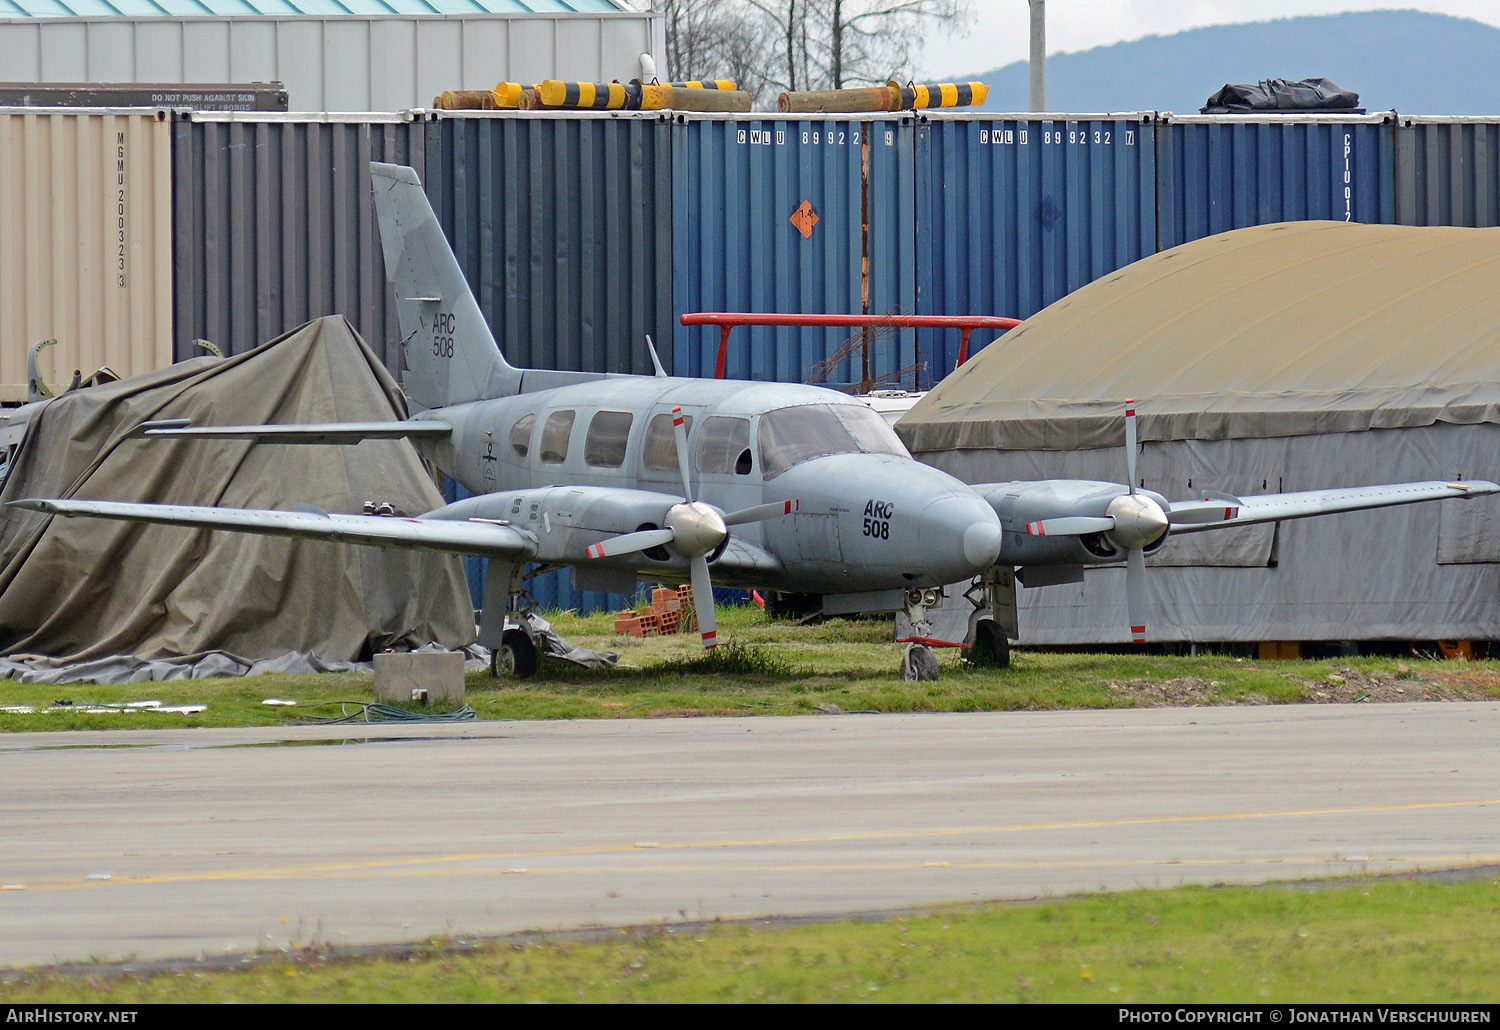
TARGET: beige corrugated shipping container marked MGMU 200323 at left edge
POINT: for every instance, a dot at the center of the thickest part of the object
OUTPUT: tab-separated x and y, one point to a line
86	236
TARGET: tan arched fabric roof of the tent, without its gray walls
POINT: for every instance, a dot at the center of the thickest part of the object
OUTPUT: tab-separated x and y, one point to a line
1276	331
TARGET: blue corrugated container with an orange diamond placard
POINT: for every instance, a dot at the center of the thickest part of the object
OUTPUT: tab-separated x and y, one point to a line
796	217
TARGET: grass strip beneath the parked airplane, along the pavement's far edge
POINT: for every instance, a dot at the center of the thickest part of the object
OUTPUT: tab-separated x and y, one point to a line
778	668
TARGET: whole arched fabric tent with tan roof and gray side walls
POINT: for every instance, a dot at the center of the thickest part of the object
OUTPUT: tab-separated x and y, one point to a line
1285	358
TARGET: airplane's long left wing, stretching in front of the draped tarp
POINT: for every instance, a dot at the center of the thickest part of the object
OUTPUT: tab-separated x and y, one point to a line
451	536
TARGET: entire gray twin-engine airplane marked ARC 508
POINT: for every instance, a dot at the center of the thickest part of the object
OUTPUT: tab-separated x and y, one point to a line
787	488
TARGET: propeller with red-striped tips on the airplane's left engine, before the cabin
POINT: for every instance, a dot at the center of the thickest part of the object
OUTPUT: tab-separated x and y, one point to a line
695	531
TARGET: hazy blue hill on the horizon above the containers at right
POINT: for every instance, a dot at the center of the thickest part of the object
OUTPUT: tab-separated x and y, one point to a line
1405	61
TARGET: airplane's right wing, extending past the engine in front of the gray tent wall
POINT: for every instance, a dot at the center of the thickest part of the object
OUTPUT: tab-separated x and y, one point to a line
1216	514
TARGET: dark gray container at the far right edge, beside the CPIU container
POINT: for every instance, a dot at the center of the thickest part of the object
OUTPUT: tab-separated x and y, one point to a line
1448	172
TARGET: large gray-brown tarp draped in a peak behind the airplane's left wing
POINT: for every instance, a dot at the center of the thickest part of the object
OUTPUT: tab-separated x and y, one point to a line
86	588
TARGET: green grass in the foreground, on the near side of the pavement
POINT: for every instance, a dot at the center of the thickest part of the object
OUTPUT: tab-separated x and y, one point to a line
1370	942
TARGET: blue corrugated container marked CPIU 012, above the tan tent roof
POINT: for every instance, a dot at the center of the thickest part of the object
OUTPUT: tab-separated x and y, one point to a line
1220	173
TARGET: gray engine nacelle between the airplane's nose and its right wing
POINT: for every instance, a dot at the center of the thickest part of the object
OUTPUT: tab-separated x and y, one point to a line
1025	503
